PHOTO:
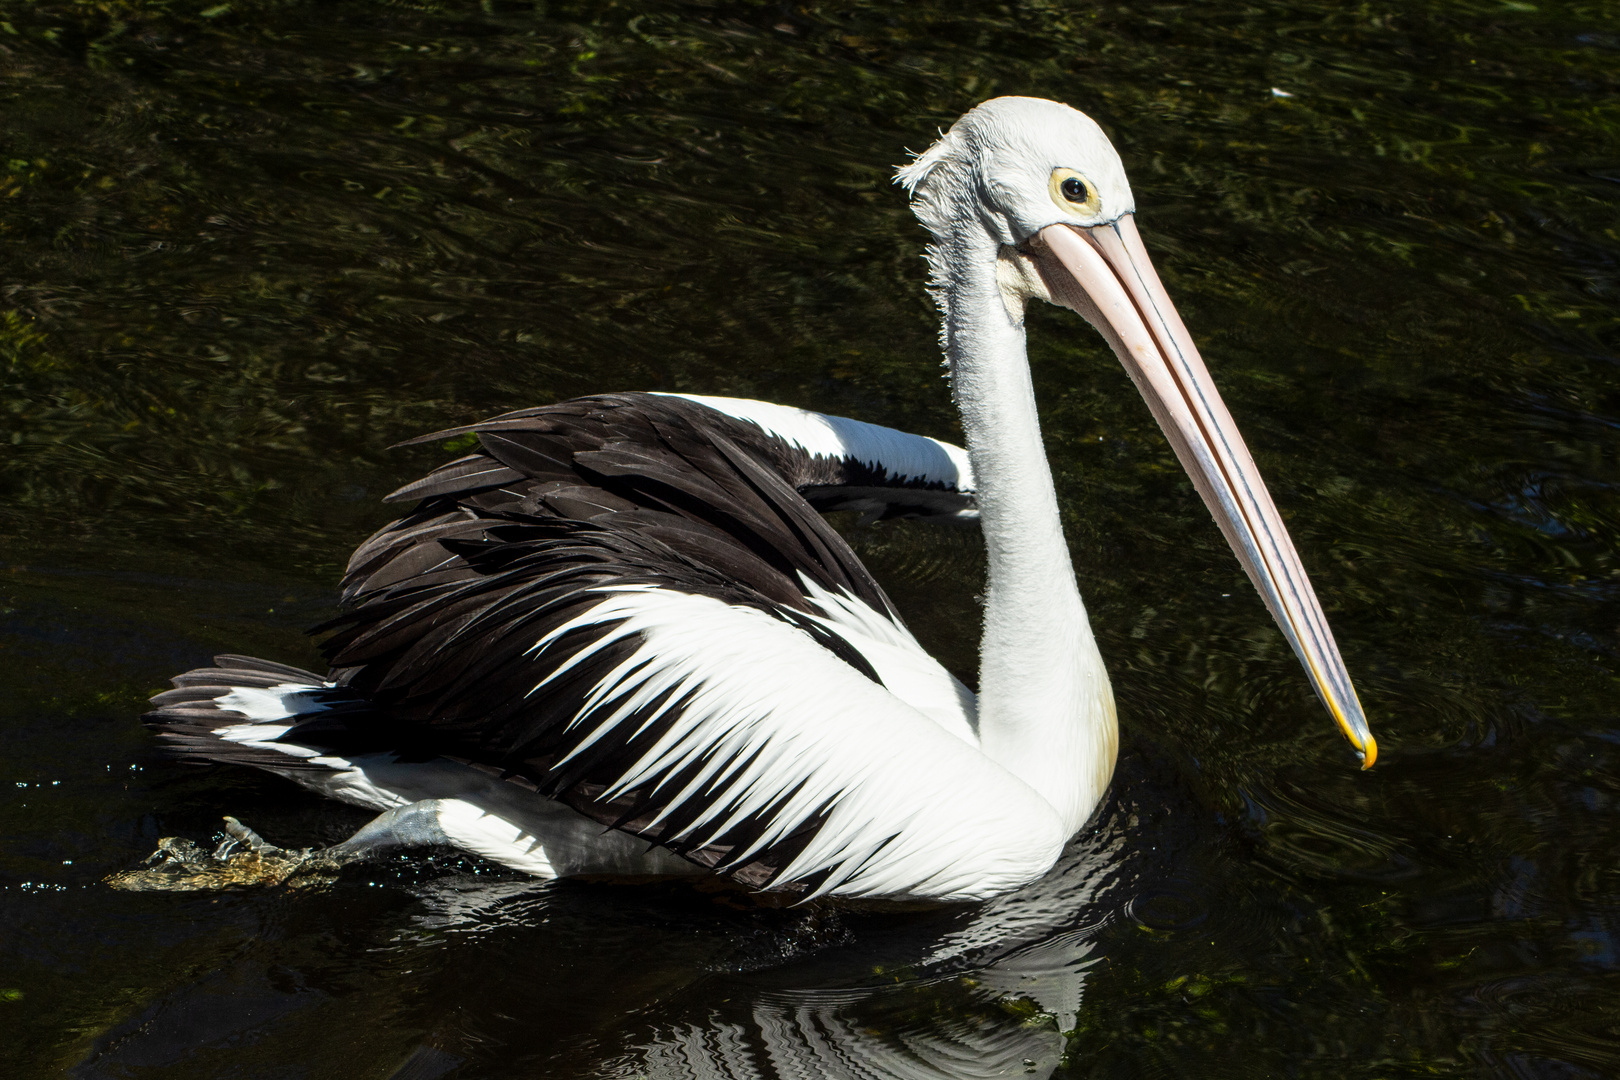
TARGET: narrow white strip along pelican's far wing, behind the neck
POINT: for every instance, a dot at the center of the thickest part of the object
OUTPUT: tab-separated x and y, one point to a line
906	457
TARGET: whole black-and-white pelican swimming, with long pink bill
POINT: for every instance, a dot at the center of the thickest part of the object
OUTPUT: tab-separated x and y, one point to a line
620	640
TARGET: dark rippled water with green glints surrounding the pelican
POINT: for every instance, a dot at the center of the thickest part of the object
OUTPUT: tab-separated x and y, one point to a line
247	247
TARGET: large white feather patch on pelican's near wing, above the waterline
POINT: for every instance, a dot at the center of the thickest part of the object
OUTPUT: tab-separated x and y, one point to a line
778	728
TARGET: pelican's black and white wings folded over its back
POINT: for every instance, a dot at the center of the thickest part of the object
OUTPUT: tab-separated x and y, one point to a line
628	605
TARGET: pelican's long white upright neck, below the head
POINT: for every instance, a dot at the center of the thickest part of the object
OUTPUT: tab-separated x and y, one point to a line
1046	708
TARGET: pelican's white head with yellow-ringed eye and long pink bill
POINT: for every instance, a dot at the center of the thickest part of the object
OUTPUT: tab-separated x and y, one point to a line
1046	189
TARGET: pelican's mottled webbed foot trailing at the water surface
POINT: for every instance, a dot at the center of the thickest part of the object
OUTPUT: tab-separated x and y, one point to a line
242	859
